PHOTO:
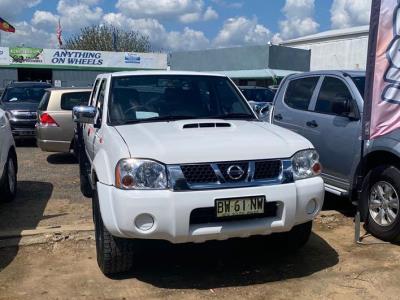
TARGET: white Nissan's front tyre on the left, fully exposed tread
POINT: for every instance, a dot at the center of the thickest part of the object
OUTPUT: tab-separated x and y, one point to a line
114	255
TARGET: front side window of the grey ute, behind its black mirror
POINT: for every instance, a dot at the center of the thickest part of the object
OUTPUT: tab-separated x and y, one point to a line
334	98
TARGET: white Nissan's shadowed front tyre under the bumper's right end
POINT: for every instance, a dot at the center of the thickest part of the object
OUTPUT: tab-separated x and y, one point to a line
296	238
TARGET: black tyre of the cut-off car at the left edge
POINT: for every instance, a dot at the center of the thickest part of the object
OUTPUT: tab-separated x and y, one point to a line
8	182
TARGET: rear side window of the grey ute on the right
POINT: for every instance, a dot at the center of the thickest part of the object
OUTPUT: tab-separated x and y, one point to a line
299	92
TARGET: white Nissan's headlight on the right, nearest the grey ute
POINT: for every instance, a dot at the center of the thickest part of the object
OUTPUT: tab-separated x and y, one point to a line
306	164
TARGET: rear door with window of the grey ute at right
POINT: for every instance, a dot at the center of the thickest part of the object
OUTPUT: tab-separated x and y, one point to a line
293	103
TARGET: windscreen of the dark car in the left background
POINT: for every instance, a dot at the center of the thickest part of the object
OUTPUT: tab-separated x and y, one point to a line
24	94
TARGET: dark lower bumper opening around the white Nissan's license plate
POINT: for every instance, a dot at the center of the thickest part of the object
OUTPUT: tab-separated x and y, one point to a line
208	215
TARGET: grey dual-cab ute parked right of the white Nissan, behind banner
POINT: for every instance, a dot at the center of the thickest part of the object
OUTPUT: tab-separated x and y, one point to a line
326	108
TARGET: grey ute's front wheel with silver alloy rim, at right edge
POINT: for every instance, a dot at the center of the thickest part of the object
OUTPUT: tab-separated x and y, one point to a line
380	202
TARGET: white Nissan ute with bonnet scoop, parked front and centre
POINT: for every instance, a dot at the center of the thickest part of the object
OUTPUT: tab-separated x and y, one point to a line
182	157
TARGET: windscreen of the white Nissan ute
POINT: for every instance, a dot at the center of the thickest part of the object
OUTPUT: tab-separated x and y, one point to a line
152	98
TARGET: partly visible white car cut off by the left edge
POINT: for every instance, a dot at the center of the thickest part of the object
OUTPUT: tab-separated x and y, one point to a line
8	161
